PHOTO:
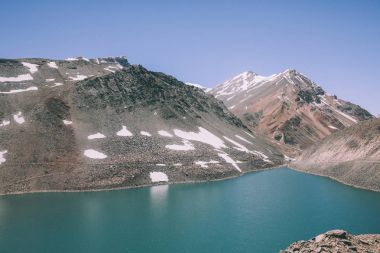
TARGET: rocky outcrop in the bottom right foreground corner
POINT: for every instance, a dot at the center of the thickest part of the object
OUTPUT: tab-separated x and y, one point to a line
337	241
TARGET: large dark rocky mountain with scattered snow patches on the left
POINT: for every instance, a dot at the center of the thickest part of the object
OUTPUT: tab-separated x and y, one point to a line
82	124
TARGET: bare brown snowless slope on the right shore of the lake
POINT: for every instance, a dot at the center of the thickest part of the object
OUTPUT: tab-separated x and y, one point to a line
351	156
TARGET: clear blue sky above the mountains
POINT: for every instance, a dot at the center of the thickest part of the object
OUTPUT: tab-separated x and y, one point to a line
336	43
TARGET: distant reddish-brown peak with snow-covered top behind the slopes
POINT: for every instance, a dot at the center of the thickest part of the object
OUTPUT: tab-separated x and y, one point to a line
288	108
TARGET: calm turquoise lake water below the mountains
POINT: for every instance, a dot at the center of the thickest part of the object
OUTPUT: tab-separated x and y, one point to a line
259	212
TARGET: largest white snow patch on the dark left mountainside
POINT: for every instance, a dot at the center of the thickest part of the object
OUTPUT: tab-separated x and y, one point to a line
203	135
